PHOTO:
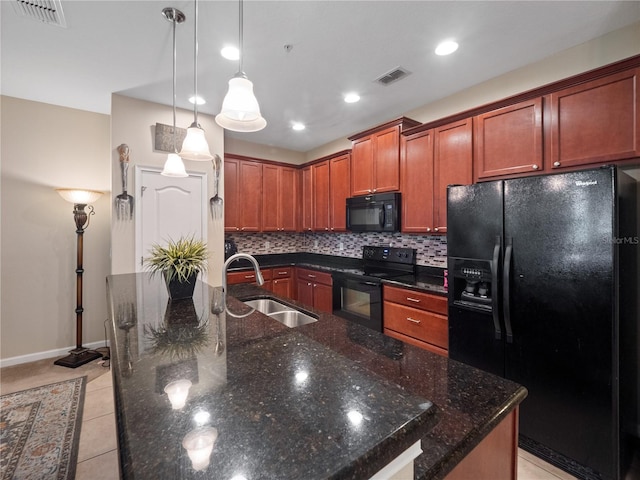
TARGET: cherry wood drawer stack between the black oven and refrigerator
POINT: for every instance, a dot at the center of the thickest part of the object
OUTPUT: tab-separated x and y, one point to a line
417	318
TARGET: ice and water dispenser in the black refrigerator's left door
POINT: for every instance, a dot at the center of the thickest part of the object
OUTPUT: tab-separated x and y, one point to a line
472	283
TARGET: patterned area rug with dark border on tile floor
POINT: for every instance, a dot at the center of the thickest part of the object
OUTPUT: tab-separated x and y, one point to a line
40	431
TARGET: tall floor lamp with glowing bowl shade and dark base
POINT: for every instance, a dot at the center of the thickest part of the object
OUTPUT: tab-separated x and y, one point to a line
80	199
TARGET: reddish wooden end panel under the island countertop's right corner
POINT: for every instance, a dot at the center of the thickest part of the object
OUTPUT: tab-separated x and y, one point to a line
495	457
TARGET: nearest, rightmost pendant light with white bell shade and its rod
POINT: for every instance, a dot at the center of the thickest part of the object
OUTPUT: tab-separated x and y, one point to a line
240	110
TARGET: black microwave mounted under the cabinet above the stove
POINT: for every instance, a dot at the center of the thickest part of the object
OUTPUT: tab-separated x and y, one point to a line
374	213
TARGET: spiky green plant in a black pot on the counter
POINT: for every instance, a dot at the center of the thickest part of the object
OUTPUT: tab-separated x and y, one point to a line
179	262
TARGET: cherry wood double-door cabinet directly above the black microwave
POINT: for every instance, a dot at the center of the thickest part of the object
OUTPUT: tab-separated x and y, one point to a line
375	158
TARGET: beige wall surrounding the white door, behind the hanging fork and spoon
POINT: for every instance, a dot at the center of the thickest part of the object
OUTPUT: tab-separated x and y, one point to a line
133	122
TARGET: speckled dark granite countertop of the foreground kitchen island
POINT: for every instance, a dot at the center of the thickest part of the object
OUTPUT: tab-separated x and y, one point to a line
329	399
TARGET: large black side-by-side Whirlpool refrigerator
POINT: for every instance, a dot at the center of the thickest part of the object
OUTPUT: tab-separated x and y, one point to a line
543	290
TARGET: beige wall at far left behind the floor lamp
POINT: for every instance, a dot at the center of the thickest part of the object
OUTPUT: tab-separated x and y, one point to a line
46	147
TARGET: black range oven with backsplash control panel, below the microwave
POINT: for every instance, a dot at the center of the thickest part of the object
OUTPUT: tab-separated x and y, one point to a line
357	296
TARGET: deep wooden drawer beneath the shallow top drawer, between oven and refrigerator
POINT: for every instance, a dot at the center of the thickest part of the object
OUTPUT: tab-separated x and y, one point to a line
426	326
